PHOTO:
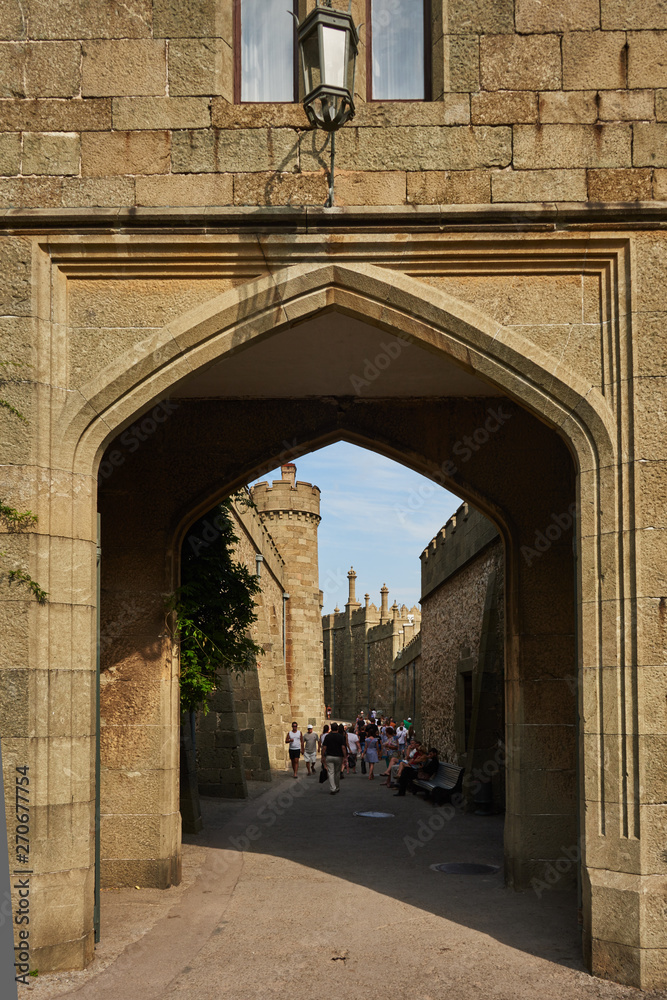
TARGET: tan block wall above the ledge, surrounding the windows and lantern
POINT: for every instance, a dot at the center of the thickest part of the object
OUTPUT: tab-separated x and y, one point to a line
132	104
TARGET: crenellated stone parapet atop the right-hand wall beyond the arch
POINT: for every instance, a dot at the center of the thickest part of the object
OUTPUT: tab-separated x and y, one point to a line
463	537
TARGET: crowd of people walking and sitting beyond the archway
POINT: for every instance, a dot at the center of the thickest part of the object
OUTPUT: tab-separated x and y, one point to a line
368	741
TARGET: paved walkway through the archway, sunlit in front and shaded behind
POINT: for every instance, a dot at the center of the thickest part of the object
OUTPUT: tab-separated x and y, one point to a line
297	896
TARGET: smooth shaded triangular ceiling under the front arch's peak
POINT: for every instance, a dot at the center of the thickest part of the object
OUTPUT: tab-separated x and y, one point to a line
333	354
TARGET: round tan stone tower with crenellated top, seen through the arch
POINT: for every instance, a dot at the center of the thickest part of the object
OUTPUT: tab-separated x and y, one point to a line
291	513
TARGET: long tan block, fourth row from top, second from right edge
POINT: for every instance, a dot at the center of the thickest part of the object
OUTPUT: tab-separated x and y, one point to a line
552	146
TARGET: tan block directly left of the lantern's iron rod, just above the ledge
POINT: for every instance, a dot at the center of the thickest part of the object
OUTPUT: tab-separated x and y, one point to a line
270	188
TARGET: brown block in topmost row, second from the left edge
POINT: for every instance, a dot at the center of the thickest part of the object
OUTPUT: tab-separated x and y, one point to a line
81	19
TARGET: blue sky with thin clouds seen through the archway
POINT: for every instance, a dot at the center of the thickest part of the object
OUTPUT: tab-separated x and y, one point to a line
377	516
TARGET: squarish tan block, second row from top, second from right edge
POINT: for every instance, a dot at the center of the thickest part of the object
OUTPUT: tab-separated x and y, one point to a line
593	60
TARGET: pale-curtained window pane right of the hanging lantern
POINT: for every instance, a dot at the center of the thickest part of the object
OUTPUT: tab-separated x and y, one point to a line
400	48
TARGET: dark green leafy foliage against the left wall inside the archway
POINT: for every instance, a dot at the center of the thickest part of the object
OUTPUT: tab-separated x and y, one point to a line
213	608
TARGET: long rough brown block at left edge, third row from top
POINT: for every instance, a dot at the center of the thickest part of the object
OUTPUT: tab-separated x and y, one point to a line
92	114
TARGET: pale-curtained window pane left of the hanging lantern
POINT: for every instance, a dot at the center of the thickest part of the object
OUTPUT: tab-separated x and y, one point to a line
265	51
